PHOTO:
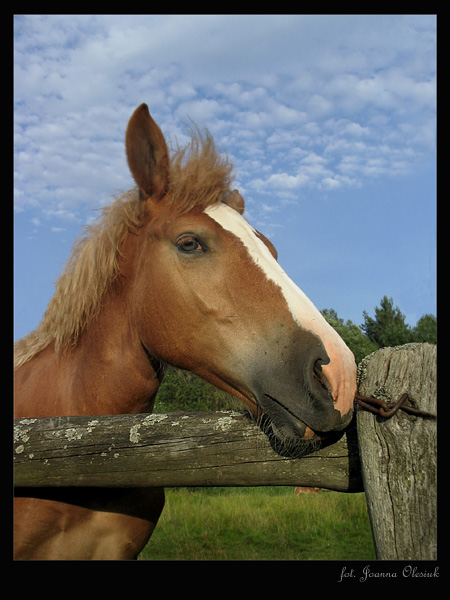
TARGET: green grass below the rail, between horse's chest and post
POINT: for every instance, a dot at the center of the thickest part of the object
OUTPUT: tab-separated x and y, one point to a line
269	523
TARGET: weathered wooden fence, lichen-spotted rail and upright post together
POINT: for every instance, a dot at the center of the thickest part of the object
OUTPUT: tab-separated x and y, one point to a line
393	461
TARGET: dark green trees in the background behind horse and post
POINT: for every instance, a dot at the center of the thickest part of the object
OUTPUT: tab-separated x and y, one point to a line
186	392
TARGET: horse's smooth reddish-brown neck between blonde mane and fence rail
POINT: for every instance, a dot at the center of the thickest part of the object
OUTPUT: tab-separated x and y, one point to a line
108	372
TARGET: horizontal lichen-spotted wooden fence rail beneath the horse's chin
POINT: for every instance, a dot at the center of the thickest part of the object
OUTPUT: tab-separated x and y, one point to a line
176	449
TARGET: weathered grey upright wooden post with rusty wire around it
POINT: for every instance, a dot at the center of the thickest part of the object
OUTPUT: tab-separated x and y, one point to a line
398	455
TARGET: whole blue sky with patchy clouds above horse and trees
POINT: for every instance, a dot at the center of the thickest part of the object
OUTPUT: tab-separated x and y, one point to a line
330	121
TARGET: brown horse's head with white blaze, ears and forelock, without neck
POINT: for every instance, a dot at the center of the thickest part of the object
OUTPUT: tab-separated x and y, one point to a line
210	297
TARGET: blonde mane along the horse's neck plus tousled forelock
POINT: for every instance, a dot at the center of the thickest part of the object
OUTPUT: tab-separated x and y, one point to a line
199	176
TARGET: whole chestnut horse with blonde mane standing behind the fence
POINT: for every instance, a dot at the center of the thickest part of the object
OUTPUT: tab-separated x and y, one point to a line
170	274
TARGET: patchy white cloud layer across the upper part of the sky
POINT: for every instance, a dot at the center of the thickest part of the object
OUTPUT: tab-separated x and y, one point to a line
298	101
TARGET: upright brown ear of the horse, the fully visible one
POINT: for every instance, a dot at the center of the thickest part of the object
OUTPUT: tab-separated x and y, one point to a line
147	154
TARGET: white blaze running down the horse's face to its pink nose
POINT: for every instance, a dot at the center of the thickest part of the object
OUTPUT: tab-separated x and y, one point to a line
341	370
